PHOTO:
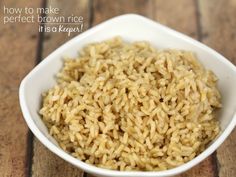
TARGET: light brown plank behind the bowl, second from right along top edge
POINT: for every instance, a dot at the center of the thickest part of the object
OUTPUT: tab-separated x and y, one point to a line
180	16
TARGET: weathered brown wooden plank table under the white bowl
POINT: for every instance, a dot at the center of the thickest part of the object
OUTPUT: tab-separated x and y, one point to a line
212	22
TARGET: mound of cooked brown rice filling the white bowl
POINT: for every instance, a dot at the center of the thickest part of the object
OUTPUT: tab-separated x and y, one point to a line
129	106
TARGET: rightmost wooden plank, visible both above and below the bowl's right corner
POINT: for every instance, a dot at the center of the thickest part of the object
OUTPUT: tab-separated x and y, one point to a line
218	27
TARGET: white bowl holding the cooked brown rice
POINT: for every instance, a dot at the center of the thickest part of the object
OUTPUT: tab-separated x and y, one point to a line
132	28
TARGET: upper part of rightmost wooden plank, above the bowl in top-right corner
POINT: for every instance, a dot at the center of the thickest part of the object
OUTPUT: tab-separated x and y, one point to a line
218	26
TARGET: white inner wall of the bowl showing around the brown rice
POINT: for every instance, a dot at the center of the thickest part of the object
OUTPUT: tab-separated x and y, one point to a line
130	28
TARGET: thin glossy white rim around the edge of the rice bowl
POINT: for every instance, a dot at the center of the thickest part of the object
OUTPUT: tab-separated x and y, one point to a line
101	171
